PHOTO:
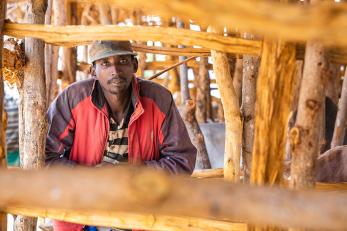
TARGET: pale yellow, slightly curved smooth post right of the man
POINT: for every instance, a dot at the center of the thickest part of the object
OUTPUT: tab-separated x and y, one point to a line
233	127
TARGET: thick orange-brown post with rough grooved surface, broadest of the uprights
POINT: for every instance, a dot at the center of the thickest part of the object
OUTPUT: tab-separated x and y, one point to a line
275	86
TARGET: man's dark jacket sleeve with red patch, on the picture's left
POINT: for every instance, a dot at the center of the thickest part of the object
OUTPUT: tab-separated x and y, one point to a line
60	133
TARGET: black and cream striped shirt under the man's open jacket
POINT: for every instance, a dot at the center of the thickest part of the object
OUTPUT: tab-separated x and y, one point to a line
116	151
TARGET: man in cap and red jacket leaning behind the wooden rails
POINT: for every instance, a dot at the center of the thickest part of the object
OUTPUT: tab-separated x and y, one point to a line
115	118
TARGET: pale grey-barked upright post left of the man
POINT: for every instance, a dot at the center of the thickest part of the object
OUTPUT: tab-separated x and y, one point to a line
32	120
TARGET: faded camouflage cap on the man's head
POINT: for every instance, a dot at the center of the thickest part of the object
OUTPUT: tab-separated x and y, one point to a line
104	49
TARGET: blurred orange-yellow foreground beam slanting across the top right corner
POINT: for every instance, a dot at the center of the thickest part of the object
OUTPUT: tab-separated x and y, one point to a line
326	21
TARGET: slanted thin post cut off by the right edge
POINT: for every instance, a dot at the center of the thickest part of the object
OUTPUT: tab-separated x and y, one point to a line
341	118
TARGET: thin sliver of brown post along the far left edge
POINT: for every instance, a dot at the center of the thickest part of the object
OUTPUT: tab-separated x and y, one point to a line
3	5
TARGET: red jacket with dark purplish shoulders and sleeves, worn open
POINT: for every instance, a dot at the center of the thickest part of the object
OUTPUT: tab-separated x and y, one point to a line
79	123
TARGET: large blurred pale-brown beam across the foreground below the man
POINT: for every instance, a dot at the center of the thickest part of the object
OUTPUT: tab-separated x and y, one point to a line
143	191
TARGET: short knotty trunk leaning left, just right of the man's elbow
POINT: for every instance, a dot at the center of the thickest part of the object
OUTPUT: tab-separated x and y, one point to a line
195	134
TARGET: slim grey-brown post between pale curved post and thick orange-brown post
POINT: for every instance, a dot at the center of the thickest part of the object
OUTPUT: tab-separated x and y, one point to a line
250	72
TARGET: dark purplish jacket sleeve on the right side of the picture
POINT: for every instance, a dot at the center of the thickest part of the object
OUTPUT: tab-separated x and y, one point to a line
177	153
